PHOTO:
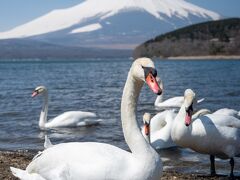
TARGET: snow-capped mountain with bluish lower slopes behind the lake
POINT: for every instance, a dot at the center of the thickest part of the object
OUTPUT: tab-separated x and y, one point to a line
111	23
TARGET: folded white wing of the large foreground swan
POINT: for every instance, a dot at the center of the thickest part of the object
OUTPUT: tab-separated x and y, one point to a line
76	159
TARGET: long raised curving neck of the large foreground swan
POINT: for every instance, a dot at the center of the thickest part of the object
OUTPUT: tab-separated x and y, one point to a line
131	131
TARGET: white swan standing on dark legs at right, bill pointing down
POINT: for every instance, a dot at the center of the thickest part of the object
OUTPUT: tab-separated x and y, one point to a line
213	134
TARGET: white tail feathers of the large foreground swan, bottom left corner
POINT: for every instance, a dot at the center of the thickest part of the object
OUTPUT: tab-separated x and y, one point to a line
24	175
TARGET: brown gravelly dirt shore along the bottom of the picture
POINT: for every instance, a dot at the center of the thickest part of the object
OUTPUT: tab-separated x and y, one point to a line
22	159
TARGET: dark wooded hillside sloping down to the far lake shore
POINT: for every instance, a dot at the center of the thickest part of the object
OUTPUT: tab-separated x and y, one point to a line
220	37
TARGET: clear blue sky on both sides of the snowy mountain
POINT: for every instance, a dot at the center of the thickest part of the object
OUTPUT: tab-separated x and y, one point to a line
15	12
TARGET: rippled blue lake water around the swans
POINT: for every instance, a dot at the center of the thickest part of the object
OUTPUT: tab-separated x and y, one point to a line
96	86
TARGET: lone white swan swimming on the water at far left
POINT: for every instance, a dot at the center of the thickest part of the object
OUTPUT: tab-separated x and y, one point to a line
67	119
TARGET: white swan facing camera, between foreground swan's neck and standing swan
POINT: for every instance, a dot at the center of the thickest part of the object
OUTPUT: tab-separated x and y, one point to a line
158	129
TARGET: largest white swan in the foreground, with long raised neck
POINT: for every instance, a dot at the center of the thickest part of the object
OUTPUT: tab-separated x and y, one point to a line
89	160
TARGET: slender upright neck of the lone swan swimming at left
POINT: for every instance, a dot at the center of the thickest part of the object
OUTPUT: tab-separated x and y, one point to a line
44	111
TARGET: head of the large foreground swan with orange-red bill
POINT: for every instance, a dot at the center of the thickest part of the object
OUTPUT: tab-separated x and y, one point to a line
144	69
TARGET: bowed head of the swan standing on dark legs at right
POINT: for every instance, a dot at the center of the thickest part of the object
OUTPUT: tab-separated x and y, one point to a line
189	100
